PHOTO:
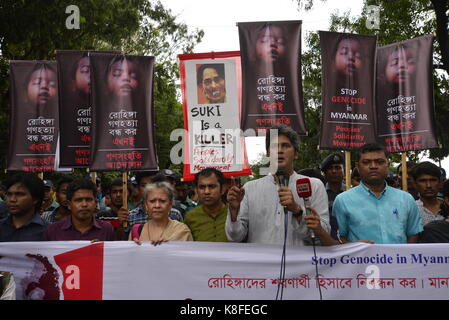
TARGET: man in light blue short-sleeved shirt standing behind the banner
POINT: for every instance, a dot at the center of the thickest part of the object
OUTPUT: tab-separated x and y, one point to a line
374	212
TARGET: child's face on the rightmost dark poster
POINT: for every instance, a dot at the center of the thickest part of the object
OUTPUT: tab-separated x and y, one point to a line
400	65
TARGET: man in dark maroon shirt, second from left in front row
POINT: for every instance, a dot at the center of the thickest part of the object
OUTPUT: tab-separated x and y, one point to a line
81	225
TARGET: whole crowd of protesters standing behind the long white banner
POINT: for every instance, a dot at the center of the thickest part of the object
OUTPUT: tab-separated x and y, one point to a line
162	207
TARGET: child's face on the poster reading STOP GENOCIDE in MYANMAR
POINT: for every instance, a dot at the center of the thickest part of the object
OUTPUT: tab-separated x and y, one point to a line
348	59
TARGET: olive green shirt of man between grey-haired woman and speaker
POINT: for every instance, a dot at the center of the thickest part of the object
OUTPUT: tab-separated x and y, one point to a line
206	227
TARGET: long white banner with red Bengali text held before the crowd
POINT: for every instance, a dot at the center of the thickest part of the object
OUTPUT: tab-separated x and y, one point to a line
224	271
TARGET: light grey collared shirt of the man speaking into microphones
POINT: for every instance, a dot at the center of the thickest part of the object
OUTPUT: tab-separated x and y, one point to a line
261	217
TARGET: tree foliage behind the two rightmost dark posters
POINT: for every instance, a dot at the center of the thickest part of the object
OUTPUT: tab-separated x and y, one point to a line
399	20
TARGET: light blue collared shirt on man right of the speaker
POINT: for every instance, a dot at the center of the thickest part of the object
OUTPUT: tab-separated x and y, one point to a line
387	219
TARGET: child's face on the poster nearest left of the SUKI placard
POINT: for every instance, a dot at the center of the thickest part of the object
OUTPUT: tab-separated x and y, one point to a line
122	78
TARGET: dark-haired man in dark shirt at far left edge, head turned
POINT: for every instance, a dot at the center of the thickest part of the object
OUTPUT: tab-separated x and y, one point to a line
24	196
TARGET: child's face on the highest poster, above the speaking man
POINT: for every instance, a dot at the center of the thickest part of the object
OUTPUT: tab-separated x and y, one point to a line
270	44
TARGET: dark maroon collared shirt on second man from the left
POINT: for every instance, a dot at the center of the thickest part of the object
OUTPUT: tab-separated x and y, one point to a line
64	230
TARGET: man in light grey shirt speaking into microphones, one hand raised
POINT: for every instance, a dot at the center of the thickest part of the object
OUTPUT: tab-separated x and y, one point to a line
258	209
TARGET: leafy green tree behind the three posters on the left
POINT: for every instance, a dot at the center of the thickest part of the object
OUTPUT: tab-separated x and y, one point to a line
34	29
